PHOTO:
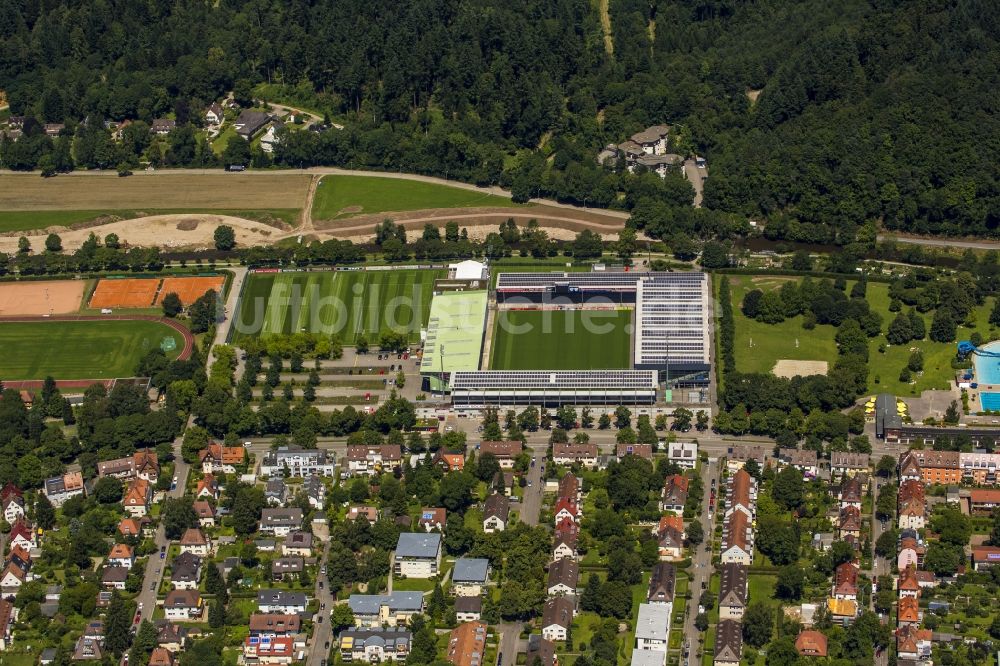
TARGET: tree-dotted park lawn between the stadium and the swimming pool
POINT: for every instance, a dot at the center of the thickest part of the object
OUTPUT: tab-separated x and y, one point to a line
759	346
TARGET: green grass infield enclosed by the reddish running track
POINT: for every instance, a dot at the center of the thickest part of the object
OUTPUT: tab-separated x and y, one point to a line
79	349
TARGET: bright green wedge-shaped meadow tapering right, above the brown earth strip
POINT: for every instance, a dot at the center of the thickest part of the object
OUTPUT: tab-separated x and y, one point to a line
344	196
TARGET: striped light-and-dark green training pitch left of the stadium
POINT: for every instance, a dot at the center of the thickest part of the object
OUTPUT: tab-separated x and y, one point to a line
346	303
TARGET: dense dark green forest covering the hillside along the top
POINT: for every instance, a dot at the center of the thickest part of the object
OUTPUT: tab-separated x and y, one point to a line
815	117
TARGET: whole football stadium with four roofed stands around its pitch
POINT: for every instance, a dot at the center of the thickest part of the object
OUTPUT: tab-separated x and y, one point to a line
564	338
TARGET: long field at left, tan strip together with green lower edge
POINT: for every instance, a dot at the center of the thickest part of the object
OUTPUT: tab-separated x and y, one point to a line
29	202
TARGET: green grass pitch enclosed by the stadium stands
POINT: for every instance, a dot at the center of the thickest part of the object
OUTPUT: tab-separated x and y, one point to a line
562	340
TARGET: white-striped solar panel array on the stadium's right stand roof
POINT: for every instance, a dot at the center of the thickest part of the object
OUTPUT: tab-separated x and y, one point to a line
672	313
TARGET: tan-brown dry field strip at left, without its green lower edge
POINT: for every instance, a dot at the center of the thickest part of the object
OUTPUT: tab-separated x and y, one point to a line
163	190
